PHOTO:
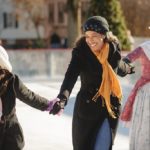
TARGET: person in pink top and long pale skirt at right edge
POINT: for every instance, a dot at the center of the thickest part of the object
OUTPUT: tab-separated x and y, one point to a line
137	106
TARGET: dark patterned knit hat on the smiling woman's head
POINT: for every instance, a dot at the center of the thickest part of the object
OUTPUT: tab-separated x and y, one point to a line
96	23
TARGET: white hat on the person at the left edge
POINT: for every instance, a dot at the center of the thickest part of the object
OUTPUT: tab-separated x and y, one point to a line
4	60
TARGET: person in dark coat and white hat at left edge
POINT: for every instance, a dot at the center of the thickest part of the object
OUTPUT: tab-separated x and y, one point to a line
11	87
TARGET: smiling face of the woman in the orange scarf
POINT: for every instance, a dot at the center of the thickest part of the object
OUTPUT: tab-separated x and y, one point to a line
94	40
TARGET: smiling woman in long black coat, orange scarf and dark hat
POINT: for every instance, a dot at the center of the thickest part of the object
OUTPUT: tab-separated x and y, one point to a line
96	59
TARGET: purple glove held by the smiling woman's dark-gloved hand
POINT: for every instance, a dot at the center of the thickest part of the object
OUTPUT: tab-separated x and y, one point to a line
52	103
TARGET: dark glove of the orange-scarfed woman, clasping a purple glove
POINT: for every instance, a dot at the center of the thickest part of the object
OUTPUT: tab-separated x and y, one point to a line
58	107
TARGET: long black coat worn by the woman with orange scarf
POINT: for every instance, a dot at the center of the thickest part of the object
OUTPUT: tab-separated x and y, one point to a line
89	115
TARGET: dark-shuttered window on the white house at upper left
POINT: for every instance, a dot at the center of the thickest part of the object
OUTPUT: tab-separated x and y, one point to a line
10	20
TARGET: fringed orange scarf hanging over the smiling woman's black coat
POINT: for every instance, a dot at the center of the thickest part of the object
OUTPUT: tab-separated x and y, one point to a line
110	84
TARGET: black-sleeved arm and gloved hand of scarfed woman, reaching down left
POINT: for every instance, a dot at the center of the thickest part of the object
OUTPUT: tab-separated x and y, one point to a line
68	83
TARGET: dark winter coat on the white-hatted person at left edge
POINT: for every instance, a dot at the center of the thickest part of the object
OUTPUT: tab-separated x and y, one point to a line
11	135
